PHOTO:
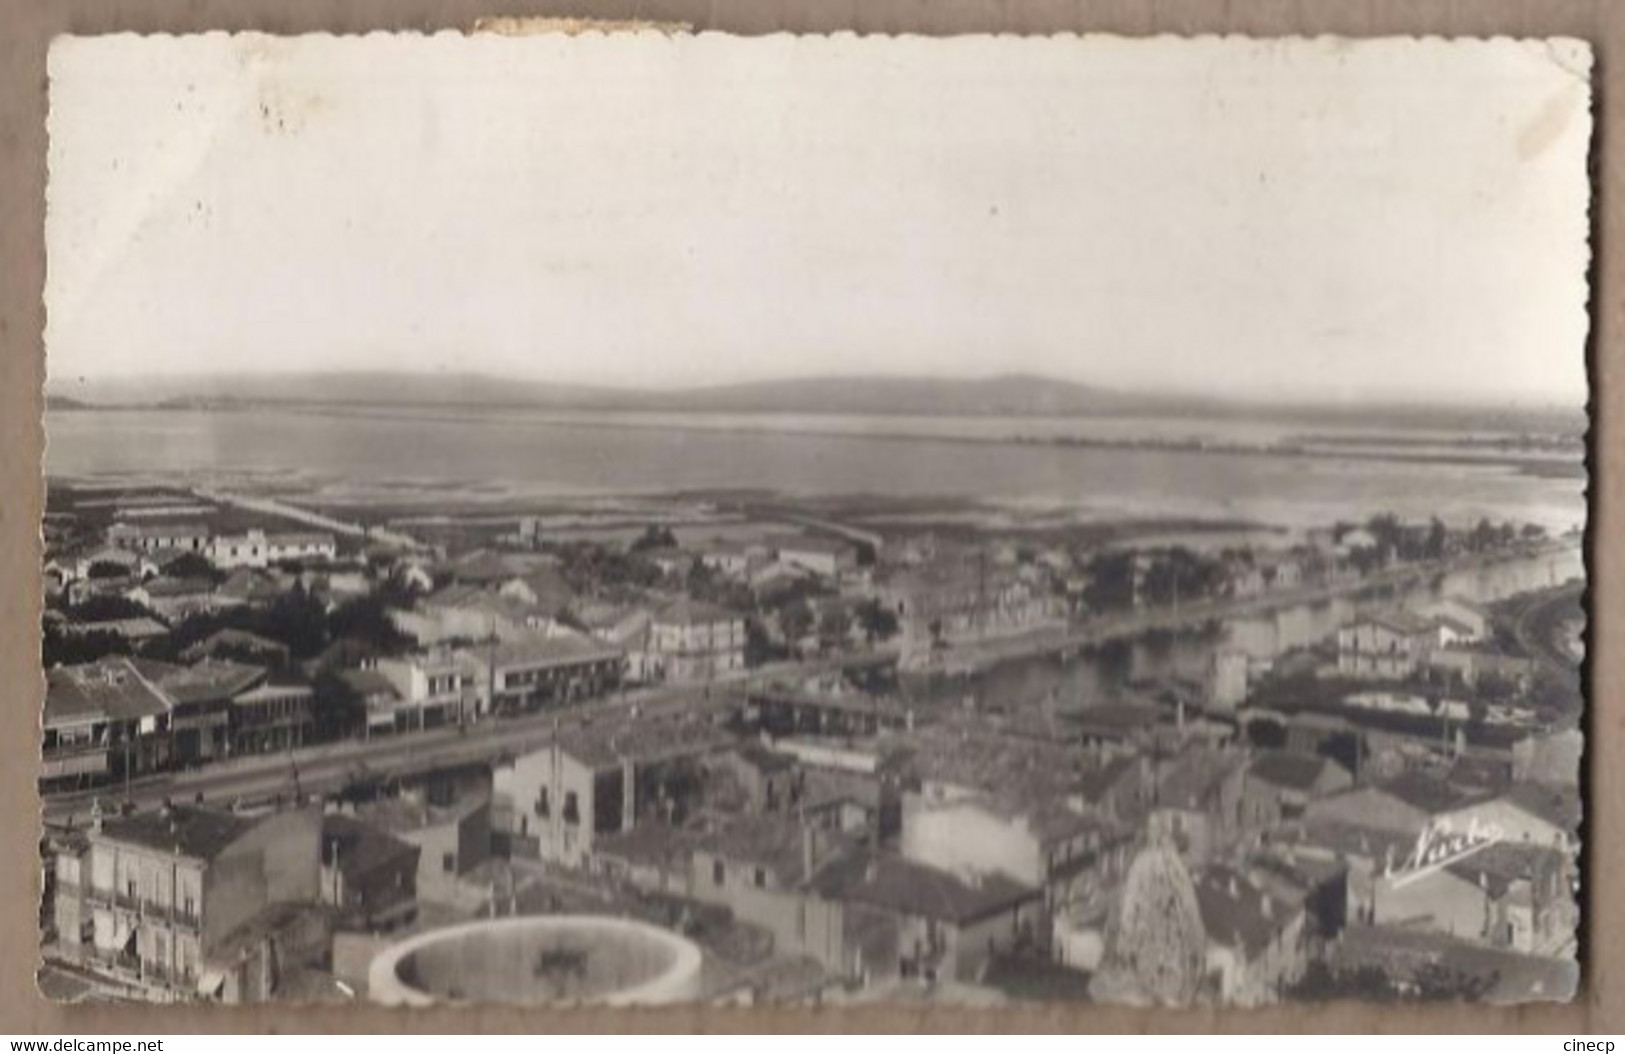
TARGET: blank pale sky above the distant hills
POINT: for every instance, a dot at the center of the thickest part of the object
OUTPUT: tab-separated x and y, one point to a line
1250	218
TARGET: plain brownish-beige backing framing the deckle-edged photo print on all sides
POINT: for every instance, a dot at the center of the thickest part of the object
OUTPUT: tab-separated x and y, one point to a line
28	25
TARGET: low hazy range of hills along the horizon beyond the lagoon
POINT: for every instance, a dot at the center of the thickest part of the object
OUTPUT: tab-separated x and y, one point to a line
1013	395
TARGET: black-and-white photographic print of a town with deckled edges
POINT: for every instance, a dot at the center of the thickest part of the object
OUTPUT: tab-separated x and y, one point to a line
639	519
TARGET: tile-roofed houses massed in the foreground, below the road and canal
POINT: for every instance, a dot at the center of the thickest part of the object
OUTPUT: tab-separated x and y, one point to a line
873	852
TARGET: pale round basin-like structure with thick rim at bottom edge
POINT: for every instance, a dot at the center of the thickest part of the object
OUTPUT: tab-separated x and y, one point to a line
542	959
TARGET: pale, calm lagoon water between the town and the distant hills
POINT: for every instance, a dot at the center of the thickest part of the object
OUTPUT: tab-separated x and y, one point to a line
548	454
